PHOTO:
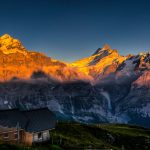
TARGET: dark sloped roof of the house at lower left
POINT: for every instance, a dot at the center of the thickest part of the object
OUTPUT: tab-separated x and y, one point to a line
31	120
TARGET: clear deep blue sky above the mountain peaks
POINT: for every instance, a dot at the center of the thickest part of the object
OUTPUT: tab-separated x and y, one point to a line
72	29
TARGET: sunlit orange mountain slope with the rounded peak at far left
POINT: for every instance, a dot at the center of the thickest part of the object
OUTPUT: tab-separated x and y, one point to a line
17	62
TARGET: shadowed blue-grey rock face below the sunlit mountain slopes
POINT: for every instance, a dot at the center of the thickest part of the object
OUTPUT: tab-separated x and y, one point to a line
111	101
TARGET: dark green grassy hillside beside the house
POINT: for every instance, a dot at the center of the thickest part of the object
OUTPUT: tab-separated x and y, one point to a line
103	136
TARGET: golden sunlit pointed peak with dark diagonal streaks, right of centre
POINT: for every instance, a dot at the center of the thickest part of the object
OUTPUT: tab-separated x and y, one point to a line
103	62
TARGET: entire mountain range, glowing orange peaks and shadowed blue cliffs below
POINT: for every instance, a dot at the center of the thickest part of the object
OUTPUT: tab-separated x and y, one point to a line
104	87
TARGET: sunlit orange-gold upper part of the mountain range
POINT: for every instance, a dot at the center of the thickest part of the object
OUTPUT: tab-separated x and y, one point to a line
103	62
